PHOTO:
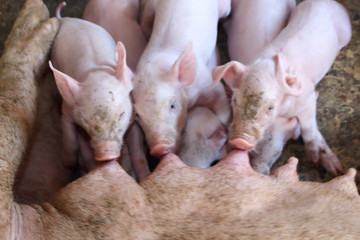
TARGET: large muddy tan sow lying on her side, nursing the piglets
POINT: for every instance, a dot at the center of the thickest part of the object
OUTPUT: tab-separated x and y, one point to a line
226	201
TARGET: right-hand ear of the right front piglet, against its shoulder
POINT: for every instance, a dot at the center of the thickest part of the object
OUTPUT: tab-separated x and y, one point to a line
287	79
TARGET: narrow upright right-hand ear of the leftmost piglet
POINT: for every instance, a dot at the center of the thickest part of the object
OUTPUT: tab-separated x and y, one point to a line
123	72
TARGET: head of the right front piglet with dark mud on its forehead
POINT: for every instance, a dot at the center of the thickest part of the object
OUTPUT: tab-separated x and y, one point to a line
258	93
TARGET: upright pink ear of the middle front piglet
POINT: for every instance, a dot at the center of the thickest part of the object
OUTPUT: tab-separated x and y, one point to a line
184	69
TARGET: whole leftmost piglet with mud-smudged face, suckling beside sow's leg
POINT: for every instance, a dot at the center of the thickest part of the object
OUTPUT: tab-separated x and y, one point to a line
96	90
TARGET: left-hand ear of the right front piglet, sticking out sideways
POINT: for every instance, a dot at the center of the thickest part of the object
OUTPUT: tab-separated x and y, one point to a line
230	72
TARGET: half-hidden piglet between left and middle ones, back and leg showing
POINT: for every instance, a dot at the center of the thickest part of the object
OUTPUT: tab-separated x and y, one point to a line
119	18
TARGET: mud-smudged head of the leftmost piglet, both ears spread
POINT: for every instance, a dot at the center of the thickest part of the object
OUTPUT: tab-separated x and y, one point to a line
101	105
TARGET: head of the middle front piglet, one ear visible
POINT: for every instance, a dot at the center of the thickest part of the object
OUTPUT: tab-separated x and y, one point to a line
159	101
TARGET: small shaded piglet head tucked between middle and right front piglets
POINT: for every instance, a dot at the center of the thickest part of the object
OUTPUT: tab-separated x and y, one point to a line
203	140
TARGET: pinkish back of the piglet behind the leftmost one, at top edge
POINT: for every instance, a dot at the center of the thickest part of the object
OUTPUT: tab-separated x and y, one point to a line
119	18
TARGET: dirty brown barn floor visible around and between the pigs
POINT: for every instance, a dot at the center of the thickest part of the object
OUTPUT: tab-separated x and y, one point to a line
338	103
